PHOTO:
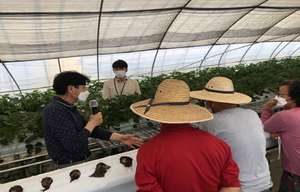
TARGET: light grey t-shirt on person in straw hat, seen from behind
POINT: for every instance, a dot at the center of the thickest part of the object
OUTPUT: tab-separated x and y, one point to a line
242	130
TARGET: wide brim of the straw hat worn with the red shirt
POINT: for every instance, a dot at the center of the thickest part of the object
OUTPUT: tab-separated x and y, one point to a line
172	113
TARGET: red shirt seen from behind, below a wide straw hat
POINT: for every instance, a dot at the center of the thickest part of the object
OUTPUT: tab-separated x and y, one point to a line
183	158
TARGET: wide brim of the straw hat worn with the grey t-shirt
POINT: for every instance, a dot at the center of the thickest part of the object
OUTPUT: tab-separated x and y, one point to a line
235	98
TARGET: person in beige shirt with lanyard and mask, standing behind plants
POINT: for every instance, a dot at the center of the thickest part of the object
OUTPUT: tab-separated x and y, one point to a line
120	84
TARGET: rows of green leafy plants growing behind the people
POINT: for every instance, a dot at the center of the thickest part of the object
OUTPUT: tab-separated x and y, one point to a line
21	115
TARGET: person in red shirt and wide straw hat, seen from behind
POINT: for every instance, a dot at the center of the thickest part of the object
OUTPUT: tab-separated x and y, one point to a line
181	157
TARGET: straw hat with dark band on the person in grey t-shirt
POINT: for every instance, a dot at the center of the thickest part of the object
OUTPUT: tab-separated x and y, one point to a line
221	89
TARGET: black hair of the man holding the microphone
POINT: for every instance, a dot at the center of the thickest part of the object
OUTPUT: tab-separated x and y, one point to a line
64	79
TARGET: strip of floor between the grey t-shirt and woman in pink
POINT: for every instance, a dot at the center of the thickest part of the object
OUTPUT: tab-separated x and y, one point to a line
275	168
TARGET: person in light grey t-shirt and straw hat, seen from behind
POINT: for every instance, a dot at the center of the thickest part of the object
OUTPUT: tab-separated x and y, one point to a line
240	128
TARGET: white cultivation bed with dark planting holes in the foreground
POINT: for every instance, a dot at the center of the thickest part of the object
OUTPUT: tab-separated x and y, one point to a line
117	178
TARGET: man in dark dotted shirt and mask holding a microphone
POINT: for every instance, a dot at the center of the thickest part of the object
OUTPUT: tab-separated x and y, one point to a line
66	131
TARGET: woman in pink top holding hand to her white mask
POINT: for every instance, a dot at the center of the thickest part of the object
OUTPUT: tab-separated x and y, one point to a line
286	125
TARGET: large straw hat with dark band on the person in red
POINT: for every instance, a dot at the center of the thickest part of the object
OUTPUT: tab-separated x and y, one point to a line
171	105
